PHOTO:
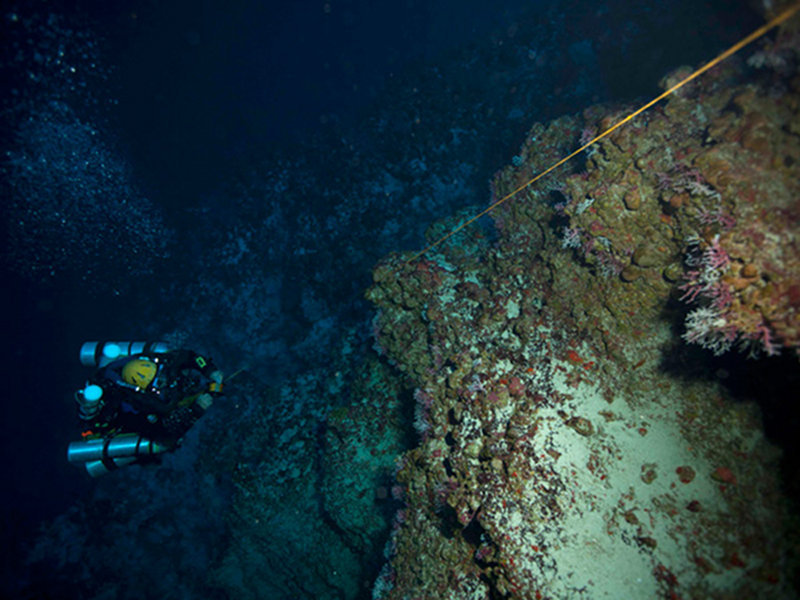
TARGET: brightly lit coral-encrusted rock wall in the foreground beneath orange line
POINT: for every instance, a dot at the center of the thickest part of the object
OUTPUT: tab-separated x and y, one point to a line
567	449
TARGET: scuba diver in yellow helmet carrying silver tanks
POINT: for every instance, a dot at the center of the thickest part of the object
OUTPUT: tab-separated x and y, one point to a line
140	402
